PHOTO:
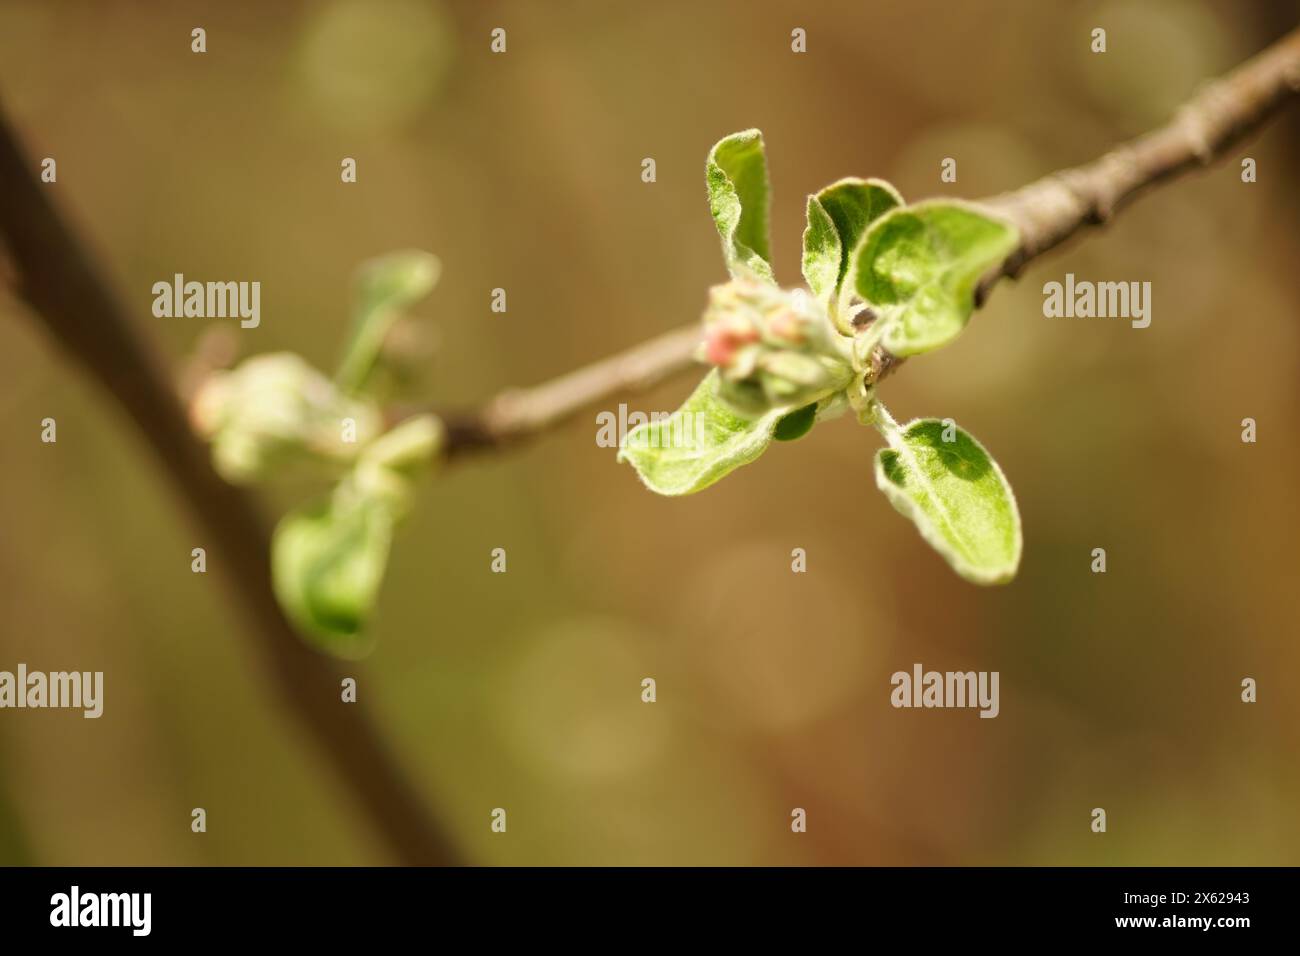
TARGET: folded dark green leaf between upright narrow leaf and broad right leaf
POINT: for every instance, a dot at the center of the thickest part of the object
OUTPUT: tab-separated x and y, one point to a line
838	217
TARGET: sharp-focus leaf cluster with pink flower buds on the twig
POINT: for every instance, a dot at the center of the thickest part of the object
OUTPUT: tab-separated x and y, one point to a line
881	275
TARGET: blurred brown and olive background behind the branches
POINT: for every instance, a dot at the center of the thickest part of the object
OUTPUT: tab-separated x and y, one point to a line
523	690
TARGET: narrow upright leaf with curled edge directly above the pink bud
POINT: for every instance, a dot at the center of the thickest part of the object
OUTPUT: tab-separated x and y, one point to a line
736	175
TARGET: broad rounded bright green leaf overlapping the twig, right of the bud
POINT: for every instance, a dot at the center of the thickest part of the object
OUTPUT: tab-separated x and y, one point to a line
920	267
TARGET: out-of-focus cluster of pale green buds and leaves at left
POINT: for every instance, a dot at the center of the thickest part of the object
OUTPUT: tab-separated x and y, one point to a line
275	414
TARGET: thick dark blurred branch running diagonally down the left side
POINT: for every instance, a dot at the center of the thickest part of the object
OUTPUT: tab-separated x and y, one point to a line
57	275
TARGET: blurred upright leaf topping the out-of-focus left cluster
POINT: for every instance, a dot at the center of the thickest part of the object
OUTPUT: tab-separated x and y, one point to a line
385	288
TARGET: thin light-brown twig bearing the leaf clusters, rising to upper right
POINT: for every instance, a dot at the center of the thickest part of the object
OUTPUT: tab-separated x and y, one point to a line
1047	213
